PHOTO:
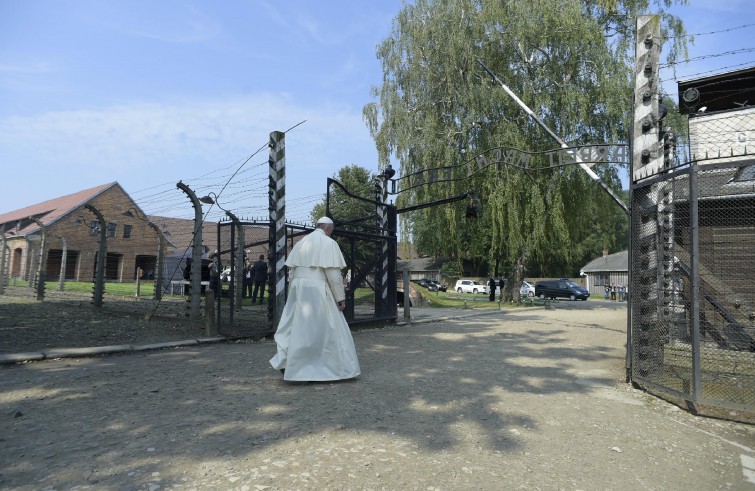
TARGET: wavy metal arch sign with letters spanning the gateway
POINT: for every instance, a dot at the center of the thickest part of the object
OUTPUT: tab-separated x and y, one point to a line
512	157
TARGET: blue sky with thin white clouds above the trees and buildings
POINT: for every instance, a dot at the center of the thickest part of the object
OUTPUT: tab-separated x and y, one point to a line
146	93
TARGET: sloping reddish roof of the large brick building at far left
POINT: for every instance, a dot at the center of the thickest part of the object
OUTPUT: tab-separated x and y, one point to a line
48	211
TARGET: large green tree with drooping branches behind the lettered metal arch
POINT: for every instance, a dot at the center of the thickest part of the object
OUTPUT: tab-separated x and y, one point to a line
570	61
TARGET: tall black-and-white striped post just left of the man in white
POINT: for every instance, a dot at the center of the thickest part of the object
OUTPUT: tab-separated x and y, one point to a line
277	239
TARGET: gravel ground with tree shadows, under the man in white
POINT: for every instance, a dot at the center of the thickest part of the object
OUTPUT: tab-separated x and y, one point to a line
525	399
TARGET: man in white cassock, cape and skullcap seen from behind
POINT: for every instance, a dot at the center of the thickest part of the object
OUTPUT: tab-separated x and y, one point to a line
313	338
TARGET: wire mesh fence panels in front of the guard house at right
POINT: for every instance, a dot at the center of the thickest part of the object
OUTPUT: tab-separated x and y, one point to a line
693	283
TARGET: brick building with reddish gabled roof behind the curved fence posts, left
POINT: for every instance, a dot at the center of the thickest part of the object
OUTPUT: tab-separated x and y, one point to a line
68	225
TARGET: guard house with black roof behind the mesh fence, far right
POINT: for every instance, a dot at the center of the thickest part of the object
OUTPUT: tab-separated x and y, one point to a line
721	110
